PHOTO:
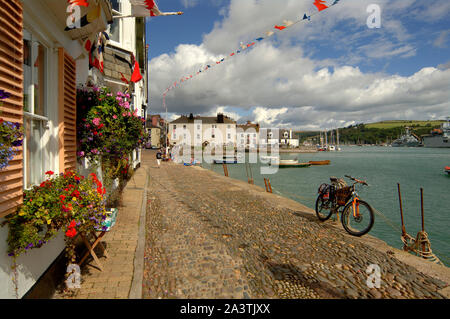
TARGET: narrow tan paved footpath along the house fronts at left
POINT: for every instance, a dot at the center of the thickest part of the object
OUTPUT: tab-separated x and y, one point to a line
116	279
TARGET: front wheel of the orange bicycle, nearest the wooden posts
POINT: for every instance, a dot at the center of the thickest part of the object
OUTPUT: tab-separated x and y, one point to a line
360	222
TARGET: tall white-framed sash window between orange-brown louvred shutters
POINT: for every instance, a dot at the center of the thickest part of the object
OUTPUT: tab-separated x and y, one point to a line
35	108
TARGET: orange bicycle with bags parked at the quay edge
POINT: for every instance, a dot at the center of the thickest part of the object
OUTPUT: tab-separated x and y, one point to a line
357	216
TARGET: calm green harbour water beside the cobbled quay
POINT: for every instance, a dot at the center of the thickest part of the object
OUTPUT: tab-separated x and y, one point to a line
382	168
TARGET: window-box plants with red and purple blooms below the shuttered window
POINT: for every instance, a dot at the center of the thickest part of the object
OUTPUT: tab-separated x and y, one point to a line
66	202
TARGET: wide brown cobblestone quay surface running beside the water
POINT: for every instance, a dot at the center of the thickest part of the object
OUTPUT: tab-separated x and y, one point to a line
211	237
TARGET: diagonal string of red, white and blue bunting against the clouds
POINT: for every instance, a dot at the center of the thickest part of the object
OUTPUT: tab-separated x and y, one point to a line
319	4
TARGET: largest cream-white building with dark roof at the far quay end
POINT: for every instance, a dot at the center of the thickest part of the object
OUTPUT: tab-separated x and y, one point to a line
197	131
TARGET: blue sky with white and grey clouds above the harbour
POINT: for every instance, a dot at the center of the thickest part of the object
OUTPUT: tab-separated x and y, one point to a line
332	71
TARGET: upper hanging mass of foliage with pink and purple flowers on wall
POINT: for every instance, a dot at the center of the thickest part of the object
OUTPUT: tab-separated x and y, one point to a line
108	131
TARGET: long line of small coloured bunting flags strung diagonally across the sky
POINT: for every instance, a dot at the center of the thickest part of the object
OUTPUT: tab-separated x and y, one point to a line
320	5
